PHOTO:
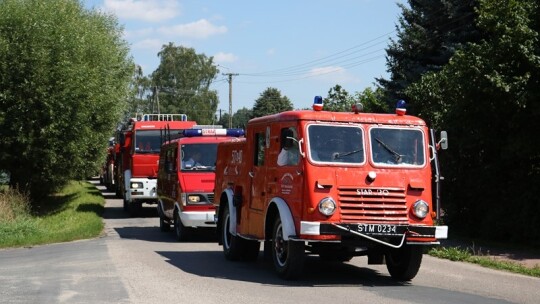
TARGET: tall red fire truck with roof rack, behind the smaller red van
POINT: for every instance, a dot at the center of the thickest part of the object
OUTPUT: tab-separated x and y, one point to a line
138	154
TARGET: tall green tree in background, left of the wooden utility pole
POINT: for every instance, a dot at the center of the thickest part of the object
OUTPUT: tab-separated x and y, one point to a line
182	83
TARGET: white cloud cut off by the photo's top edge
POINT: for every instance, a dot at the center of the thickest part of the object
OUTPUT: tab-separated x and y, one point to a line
145	10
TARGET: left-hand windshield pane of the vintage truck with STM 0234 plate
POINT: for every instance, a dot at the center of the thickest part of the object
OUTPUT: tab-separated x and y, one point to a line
336	144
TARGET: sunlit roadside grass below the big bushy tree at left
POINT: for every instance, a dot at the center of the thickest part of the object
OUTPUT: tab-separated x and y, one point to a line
72	214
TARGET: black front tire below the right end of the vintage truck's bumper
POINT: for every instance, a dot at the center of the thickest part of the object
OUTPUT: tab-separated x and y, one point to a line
403	263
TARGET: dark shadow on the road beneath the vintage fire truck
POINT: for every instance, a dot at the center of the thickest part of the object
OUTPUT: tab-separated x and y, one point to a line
316	272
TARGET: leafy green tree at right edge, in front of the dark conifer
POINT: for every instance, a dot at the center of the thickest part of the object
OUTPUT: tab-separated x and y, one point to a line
487	97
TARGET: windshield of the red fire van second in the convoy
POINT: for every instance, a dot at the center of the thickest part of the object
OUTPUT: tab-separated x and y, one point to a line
198	157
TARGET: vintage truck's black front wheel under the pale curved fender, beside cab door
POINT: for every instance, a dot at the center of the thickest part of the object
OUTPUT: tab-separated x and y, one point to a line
288	256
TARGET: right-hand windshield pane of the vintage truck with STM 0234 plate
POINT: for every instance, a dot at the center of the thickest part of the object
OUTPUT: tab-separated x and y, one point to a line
397	146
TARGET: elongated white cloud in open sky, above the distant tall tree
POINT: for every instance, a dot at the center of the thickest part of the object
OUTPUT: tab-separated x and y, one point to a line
199	29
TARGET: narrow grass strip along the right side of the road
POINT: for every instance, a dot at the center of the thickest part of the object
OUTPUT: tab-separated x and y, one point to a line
464	255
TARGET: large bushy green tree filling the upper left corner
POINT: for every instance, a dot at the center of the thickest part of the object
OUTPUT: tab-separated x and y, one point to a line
64	74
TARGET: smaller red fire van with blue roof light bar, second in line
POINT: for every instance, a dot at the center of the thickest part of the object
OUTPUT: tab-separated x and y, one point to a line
185	184
